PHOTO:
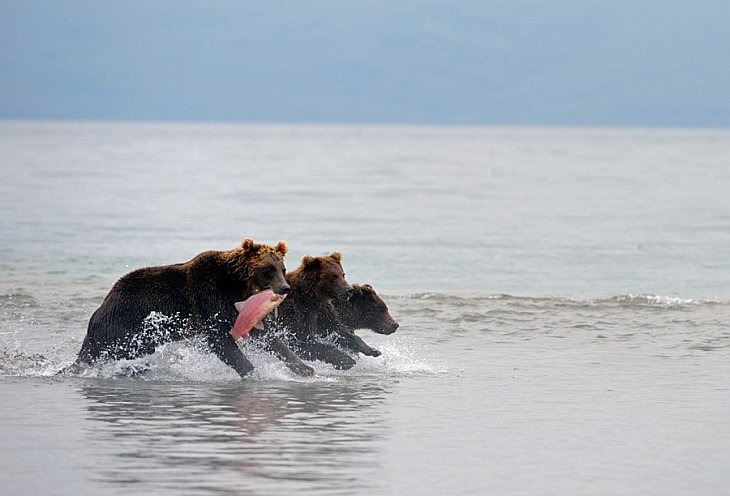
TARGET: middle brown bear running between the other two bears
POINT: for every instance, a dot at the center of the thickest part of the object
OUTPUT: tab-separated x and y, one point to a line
309	312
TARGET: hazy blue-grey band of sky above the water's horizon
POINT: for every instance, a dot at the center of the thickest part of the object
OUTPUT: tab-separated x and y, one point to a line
583	62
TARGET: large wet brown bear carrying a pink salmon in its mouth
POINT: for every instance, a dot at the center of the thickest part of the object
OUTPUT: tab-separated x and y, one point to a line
155	305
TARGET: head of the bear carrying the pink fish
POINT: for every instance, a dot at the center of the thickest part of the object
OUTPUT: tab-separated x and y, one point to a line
263	266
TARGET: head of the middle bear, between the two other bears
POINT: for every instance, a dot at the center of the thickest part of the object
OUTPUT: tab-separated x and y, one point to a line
323	279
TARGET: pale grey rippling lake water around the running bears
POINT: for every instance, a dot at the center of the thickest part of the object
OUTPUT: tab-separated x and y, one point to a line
563	295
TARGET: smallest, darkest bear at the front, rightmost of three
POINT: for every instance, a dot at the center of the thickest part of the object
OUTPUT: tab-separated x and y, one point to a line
363	310
